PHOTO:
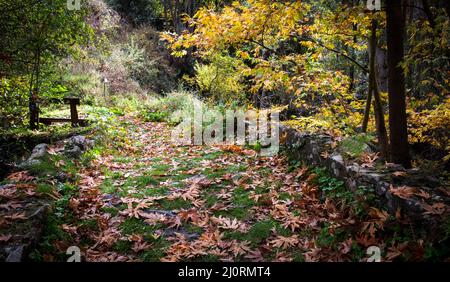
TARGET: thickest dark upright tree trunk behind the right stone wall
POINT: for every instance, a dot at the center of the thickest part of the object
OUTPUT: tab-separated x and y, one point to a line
395	31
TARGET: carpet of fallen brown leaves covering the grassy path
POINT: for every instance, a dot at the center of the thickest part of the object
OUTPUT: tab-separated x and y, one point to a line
147	199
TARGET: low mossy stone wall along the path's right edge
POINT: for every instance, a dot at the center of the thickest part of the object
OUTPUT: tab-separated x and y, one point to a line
310	149
